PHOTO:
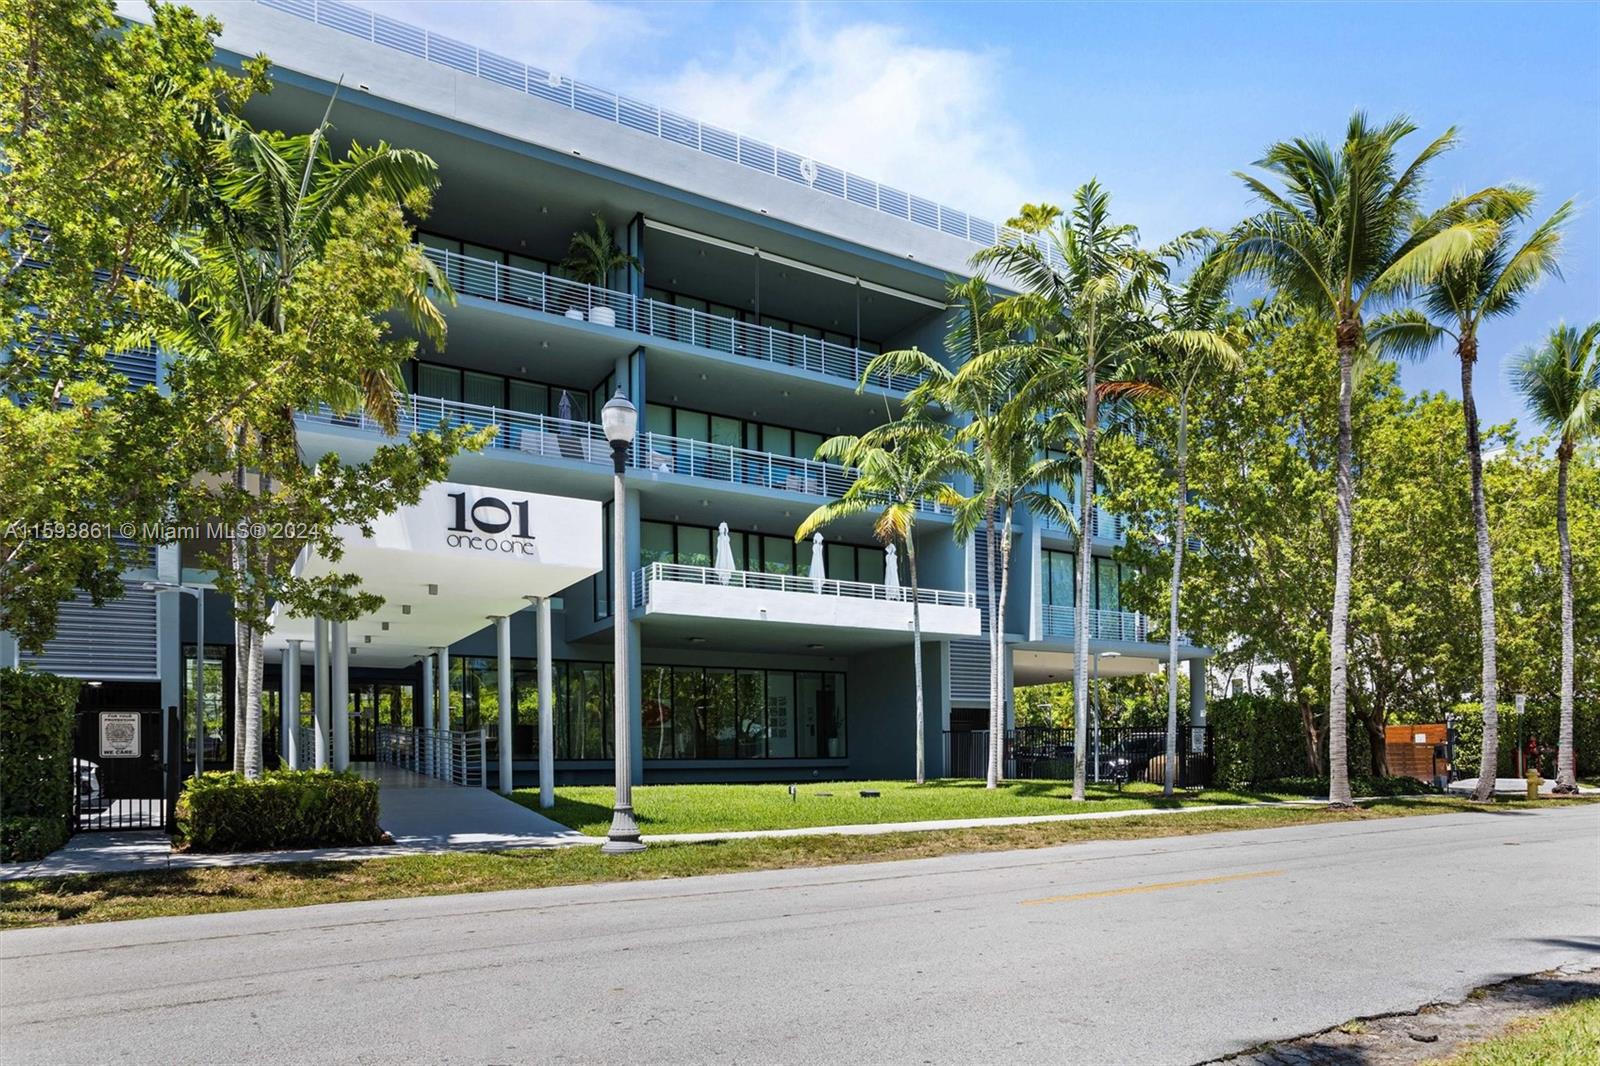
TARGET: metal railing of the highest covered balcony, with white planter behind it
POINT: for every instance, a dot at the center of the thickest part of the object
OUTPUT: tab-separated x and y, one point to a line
606	307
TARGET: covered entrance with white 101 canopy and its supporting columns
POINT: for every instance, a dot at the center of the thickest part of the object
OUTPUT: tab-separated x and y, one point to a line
463	558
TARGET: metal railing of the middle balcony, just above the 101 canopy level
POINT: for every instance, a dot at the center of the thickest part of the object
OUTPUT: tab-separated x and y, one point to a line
540	436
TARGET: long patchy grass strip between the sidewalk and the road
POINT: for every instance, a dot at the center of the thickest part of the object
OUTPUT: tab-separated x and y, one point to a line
121	897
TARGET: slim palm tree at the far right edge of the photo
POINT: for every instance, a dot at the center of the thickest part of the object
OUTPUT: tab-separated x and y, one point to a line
1561	383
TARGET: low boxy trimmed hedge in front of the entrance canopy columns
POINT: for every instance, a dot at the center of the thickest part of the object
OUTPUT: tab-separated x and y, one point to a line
282	809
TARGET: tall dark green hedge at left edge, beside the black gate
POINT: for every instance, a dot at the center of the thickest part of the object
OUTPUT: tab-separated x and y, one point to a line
36	763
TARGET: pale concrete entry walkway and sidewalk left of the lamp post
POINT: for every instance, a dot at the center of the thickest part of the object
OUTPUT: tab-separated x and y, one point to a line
422	816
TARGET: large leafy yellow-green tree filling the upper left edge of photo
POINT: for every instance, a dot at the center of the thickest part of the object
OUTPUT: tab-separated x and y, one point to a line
98	124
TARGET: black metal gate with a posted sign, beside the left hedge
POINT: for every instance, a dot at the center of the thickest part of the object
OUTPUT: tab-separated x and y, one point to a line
124	771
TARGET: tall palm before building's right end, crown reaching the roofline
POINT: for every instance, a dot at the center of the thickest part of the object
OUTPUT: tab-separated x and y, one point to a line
1084	308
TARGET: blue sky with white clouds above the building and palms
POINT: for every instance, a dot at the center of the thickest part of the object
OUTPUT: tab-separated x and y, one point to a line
988	105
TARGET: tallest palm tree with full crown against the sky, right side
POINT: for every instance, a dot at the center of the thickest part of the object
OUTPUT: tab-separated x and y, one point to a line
1343	238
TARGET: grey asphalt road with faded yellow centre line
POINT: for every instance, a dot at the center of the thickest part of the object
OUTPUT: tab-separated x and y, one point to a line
1143	952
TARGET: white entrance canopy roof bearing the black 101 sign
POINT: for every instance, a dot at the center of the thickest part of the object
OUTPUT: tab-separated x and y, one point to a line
463	555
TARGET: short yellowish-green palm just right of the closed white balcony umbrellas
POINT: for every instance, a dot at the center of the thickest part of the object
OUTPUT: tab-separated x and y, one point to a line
902	468
